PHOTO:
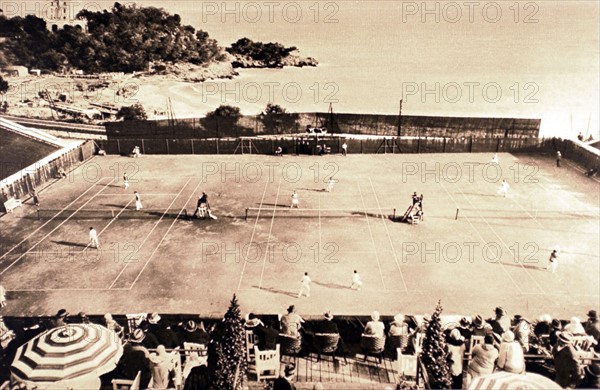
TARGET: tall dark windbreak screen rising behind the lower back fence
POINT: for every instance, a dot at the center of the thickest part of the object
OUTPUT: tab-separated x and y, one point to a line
295	123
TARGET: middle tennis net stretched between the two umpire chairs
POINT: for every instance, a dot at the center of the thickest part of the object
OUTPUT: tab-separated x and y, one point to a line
286	212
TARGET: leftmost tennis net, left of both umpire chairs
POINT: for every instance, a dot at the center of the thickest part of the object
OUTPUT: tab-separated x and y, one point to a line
109	213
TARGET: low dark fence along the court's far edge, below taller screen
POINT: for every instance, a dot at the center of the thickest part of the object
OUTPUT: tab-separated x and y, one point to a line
320	145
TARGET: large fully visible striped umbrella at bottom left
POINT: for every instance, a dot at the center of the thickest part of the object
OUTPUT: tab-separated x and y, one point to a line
67	353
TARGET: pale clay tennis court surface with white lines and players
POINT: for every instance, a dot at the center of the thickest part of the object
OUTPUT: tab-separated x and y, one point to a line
155	259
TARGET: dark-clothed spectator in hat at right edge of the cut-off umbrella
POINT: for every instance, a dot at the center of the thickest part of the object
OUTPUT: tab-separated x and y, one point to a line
566	362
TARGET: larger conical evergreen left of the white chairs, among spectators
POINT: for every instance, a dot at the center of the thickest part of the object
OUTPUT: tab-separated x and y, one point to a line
230	371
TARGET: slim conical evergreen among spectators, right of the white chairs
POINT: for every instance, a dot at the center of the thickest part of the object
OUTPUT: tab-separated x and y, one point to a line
435	353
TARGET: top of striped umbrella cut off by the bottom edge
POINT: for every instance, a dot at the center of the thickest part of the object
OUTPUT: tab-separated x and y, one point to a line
507	381
